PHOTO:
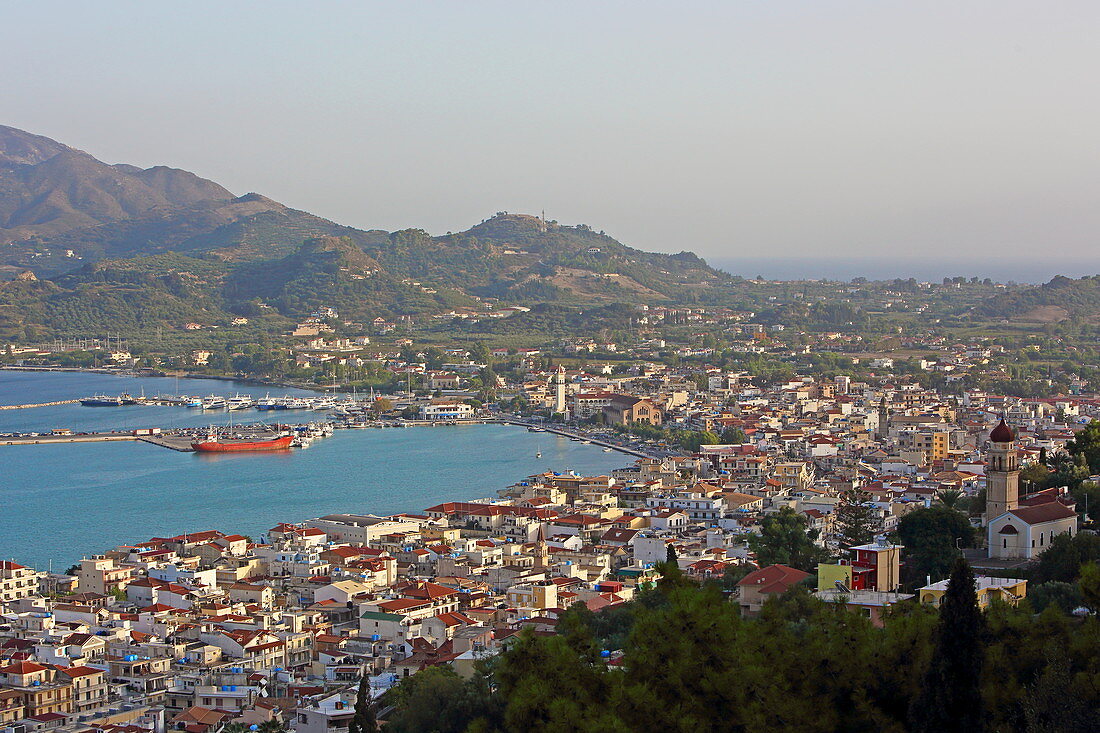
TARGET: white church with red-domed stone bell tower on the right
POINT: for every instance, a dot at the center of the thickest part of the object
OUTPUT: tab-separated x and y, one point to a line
1020	529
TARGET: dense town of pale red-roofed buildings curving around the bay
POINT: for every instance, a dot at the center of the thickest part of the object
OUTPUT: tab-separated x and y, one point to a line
863	493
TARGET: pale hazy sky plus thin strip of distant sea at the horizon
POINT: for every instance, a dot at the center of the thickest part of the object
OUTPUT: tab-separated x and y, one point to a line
909	135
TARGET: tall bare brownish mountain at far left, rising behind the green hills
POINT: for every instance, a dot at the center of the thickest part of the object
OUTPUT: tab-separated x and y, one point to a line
60	207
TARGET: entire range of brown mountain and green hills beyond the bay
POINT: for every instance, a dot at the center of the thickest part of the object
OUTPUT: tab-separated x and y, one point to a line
119	247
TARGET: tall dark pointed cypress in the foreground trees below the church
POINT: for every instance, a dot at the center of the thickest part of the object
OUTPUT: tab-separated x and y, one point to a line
950	698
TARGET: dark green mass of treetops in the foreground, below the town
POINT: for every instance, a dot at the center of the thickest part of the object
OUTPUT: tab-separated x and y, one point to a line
690	663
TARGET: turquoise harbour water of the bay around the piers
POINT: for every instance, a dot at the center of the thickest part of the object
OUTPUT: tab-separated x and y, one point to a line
63	502
